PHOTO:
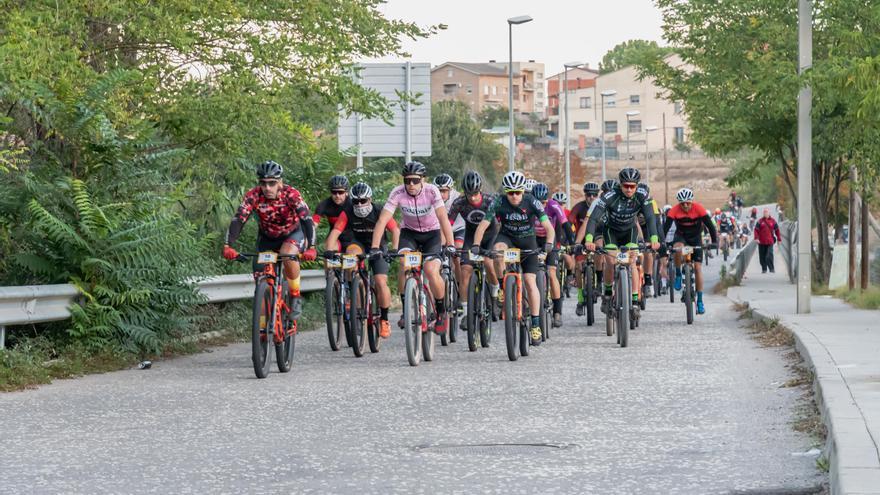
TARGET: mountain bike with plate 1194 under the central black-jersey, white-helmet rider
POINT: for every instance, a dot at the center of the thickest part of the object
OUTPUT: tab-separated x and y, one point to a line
517	316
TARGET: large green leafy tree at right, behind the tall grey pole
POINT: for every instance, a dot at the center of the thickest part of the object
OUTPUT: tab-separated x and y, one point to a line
739	82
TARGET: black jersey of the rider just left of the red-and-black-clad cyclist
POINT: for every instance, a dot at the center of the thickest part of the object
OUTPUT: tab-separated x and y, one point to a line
620	213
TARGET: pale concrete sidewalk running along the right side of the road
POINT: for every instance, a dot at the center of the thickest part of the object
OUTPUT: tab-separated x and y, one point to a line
842	344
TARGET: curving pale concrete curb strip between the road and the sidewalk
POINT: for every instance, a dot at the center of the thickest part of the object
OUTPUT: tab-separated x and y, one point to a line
854	467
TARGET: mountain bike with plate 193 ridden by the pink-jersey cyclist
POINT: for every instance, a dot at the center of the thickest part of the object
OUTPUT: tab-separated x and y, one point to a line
419	313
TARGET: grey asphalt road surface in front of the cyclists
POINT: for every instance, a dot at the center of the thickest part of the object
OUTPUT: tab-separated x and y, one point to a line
692	410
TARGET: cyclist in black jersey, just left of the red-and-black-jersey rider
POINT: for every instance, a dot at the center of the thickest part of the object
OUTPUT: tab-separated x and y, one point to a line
619	208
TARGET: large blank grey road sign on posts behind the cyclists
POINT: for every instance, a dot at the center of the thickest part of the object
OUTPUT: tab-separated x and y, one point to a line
378	139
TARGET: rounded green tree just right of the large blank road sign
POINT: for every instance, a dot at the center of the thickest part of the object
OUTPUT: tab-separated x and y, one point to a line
458	144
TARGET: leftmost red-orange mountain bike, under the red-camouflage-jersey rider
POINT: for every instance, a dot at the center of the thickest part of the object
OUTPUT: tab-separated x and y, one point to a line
271	313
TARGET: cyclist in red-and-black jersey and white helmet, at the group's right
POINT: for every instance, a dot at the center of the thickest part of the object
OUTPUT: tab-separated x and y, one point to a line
690	217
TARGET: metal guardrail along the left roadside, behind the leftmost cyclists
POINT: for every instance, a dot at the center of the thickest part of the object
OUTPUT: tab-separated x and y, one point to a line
28	304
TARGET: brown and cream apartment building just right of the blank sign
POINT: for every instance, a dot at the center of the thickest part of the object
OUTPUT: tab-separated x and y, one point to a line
482	85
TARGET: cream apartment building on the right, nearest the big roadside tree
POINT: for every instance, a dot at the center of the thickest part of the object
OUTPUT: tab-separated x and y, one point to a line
631	114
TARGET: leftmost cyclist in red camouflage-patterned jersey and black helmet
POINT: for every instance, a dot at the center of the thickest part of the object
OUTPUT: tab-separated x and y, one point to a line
285	225
